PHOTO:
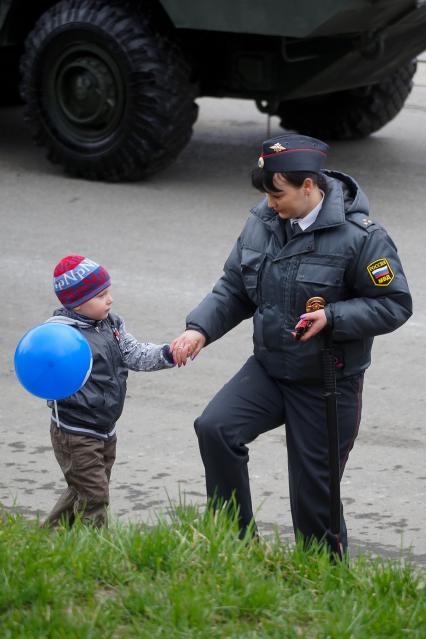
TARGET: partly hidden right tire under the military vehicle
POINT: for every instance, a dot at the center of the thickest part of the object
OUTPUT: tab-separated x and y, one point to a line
351	114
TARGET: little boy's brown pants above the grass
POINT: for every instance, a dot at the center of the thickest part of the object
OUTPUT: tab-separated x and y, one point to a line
86	463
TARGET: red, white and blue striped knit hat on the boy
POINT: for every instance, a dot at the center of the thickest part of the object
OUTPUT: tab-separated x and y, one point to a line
76	279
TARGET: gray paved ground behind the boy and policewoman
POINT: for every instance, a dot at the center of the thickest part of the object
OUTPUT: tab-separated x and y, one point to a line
164	242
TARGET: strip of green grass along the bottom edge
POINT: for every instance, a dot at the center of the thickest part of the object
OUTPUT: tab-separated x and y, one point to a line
189	576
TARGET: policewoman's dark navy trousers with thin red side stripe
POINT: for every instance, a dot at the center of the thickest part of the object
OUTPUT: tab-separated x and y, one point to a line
252	403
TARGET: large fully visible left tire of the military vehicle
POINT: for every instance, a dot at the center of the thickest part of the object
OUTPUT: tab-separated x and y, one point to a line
106	95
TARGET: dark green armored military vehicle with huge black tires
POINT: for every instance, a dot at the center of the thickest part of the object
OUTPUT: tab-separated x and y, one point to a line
110	86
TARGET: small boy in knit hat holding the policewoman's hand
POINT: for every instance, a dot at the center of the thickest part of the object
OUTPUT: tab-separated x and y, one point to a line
84	435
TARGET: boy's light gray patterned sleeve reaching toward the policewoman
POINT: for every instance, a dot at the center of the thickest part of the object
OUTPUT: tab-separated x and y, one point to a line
143	356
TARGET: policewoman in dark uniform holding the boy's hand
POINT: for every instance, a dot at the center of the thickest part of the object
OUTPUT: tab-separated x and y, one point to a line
311	236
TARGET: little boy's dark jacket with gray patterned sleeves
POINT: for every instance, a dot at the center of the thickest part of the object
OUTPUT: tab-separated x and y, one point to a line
96	407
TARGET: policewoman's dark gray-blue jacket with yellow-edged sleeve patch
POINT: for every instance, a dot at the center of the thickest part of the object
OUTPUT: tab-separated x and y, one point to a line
344	257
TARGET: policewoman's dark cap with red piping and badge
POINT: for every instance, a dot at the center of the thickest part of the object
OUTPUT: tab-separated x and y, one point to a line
293	152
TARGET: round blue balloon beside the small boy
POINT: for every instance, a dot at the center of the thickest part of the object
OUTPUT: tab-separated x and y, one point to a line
53	360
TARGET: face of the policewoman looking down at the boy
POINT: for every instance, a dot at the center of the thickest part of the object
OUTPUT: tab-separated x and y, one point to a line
290	201
